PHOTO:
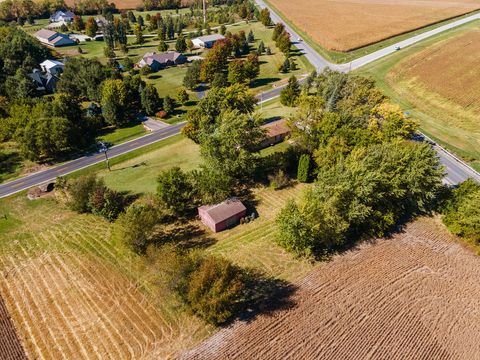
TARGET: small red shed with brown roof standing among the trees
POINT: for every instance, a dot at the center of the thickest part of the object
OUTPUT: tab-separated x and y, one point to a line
222	216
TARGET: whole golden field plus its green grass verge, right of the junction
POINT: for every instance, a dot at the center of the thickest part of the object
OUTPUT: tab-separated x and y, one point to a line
438	83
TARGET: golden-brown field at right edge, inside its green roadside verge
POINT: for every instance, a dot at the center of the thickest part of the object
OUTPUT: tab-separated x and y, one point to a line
444	80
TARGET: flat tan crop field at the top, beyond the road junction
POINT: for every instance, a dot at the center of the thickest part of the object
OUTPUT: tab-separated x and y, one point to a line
345	25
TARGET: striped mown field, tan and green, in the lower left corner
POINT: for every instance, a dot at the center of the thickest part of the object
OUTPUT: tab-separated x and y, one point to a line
73	293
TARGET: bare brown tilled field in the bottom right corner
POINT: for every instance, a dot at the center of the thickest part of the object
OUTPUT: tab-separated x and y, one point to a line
412	296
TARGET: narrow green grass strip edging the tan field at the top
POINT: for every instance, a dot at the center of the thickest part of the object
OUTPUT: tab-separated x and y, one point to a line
344	57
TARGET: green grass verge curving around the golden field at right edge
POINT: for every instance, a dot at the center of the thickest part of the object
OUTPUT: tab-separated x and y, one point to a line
432	120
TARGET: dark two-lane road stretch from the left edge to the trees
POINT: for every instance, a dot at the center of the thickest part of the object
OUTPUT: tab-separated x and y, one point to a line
41	177
